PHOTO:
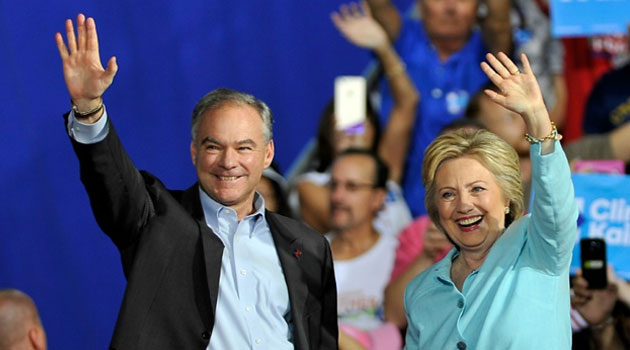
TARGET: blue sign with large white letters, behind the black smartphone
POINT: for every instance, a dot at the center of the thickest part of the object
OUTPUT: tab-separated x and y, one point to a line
604	204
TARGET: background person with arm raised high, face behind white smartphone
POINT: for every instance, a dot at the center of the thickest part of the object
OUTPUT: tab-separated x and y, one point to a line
310	196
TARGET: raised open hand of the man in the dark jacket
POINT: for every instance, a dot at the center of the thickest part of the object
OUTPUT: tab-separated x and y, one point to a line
85	77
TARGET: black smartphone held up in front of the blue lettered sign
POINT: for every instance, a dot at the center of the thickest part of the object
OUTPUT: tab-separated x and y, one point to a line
593	256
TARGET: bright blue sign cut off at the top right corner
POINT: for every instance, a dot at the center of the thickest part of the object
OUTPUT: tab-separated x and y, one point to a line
589	17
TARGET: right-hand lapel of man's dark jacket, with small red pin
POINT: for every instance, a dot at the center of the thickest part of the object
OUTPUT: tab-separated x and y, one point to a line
289	247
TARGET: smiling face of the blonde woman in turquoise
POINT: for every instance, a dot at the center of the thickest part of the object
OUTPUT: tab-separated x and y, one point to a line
470	204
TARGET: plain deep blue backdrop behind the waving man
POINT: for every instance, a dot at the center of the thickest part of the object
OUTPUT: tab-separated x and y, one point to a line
169	54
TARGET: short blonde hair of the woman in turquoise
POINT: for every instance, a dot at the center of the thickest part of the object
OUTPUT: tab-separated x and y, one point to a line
490	150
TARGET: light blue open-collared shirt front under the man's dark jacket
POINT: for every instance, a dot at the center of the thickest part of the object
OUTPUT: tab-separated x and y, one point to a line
253	307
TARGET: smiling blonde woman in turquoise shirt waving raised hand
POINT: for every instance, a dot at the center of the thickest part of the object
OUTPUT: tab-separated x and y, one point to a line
505	285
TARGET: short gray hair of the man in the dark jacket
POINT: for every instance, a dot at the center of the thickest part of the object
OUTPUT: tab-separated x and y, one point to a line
219	97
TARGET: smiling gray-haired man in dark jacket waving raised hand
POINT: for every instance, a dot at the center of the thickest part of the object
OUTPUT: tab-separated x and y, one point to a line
207	268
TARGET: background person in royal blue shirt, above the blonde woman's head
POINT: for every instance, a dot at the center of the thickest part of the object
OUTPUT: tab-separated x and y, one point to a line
441	51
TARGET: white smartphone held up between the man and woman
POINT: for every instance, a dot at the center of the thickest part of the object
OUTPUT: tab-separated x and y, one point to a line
350	101
